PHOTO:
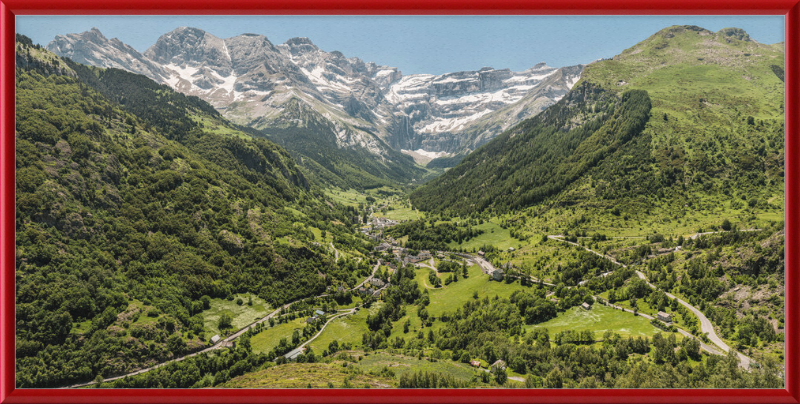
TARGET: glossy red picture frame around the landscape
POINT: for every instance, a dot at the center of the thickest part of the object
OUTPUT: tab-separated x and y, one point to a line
10	8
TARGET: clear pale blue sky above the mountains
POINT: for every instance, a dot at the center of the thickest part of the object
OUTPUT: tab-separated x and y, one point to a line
420	44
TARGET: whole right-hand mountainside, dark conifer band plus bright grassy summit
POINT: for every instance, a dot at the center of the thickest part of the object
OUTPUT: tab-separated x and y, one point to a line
715	129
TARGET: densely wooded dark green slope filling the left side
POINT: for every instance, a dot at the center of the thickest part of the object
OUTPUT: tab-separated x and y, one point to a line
133	202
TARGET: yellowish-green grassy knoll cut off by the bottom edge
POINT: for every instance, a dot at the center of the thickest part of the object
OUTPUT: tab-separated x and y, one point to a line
303	375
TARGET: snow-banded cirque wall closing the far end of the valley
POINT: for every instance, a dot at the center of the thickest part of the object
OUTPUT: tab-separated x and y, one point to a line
456	112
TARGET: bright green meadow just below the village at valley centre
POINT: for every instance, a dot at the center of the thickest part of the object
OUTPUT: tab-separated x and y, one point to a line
449	298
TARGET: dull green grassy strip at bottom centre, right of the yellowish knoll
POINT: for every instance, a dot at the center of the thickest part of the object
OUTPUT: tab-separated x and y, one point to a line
400	364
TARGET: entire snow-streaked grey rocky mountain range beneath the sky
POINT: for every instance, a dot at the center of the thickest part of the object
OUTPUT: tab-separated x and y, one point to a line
366	105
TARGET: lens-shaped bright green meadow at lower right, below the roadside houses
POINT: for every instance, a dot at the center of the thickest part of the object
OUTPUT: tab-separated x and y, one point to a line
599	320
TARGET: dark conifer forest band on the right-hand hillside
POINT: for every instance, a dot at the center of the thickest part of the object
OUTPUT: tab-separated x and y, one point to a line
540	157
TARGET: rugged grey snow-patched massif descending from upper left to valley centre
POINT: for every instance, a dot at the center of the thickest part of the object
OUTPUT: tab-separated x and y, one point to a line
254	83
